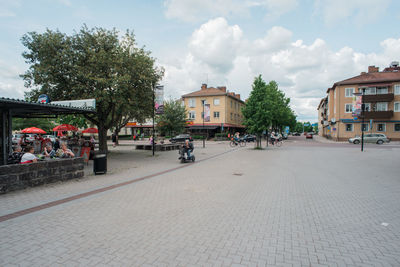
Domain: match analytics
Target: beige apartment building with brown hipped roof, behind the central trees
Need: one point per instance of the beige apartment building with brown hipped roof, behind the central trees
(225, 110)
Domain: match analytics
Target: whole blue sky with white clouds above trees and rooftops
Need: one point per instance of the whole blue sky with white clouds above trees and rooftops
(304, 45)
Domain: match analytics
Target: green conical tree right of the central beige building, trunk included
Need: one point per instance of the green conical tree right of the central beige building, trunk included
(267, 107)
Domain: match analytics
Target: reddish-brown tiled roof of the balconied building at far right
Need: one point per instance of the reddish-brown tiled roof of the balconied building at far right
(371, 78)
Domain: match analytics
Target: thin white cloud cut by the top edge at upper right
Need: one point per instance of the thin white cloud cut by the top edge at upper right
(360, 12)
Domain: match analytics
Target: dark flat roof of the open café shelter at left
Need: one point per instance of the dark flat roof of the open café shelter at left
(25, 109)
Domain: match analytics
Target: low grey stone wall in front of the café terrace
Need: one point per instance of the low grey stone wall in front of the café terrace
(19, 176)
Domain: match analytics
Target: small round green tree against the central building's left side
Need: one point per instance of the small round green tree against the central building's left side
(173, 120)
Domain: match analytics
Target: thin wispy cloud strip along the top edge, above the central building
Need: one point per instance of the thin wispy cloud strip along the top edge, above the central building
(199, 10)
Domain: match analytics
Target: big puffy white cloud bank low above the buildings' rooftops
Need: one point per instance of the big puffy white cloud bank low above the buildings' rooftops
(303, 71)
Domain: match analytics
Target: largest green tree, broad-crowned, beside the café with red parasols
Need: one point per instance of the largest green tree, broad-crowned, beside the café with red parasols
(93, 63)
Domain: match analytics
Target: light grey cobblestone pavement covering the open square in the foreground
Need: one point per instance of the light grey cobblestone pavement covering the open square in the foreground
(289, 206)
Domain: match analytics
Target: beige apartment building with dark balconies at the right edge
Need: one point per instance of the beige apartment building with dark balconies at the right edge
(382, 105)
